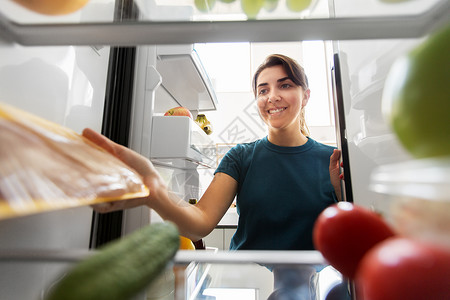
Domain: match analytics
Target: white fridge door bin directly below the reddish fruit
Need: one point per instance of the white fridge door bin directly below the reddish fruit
(178, 142)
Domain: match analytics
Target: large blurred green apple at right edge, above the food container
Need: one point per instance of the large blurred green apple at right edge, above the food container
(416, 97)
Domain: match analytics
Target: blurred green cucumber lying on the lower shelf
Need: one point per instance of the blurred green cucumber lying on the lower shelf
(122, 268)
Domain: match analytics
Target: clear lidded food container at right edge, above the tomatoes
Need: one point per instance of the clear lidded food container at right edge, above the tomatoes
(419, 192)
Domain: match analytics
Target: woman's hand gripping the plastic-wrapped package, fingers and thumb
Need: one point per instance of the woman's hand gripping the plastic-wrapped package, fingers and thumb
(139, 163)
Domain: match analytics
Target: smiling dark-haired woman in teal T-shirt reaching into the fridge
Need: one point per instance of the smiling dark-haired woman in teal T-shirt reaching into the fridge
(286, 166)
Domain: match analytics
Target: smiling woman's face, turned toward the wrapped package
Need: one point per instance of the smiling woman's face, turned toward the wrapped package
(279, 99)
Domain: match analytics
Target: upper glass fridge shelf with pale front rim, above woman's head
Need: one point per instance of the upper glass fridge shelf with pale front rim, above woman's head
(179, 22)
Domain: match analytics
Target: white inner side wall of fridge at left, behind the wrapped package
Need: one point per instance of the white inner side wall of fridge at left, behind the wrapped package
(65, 85)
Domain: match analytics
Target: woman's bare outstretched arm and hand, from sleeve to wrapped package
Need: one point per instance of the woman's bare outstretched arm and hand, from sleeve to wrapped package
(193, 221)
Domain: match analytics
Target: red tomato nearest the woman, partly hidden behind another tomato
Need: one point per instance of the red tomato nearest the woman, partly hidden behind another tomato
(344, 232)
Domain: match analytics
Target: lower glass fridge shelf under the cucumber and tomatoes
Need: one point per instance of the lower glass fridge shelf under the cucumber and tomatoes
(197, 274)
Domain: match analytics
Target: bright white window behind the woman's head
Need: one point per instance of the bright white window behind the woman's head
(230, 67)
